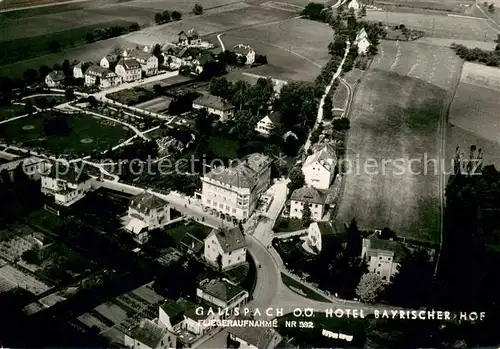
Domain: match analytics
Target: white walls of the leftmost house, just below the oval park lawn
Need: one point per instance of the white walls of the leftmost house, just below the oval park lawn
(65, 192)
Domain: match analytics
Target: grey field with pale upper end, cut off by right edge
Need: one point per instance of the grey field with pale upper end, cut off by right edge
(474, 113)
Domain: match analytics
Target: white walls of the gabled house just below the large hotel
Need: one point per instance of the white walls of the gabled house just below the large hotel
(231, 257)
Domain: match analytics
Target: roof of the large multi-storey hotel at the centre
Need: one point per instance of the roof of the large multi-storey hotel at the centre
(245, 174)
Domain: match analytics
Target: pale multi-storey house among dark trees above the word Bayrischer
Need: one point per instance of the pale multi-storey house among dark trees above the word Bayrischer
(383, 256)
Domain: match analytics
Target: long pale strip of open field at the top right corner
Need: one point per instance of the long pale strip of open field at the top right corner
(439, 26)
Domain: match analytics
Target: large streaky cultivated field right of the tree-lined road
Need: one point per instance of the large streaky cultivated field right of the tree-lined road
(394, 125)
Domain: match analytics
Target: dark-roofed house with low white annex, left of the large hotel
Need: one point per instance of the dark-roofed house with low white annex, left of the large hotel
(146, 212)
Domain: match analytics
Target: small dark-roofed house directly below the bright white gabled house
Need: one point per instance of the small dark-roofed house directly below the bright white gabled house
(310, 196)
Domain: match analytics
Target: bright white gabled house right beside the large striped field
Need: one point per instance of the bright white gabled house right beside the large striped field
(319, 167)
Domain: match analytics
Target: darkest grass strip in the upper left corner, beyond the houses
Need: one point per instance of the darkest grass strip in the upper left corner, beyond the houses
(25, 48)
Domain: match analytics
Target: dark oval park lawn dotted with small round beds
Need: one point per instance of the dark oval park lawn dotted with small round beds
(86, 134)
